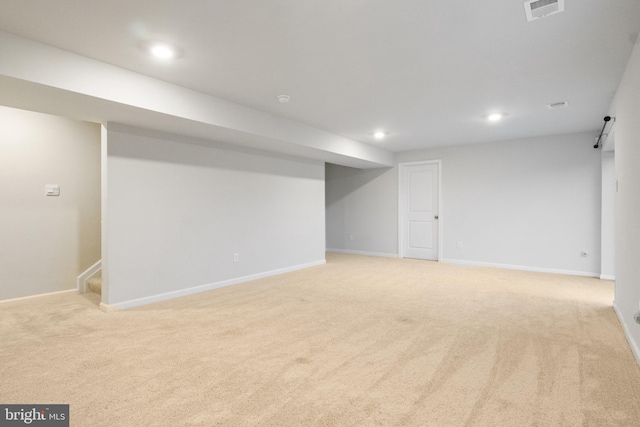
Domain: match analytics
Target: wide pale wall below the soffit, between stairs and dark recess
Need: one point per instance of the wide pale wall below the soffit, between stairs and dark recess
(177, 212)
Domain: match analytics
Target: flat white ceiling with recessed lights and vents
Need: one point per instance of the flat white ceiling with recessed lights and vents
(424, 71)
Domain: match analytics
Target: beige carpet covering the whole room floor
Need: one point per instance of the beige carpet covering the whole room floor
(359, 341)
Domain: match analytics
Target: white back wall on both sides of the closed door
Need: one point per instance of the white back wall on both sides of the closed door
(532, 203)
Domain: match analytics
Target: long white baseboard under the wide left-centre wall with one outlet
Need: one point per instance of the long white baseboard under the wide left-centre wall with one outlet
(203, 288)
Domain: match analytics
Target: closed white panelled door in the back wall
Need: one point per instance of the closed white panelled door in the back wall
(418, 210)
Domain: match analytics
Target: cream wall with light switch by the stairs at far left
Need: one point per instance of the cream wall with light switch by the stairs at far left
(46, 242)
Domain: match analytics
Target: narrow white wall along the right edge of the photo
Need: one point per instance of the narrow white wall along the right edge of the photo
(626, 110)
